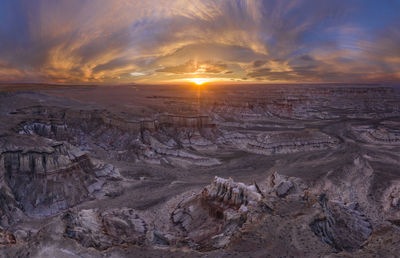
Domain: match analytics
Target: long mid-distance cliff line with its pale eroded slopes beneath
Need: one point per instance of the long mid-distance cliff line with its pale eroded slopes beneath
(175, 139)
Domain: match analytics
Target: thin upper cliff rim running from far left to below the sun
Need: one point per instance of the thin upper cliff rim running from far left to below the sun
(54, 122)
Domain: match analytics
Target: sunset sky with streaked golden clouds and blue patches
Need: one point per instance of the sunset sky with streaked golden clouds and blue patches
(172, 41)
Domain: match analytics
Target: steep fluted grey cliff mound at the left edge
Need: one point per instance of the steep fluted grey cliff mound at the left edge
(44, 183)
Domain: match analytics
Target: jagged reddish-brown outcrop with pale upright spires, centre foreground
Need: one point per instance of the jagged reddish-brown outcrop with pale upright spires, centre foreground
(209, 219)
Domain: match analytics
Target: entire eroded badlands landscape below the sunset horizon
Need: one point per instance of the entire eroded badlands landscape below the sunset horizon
(200, 171)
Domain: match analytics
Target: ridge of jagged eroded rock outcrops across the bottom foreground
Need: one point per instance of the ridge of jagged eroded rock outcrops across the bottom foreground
(222, 213)
